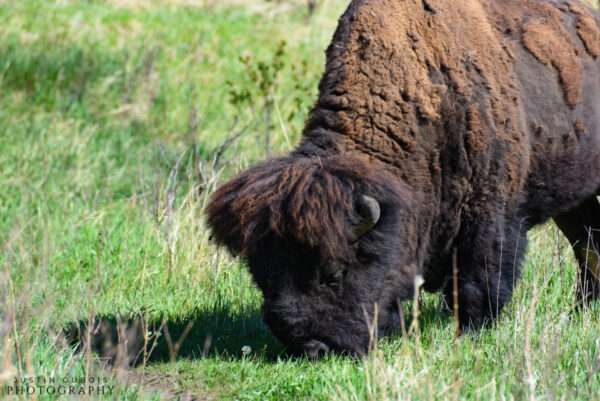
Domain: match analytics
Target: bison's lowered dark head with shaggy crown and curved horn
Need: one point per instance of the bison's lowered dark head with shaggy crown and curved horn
(329, 243)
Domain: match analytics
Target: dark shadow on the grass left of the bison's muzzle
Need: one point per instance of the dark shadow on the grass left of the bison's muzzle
(133, 340)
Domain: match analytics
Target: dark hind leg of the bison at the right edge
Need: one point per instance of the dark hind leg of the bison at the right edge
(581, 226)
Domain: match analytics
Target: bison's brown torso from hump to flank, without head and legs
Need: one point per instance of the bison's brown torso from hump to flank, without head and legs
(468, 104)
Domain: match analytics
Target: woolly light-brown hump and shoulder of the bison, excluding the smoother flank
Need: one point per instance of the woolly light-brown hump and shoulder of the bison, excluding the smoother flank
(431, 95)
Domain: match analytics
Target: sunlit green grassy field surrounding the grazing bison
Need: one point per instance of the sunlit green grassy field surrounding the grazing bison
(117, 120)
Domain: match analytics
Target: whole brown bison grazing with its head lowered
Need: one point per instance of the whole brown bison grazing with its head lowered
(444, 130)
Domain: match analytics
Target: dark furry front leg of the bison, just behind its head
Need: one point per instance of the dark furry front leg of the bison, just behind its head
(485, 271)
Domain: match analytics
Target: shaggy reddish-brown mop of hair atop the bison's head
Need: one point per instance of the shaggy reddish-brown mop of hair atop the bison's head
(307, 200)
